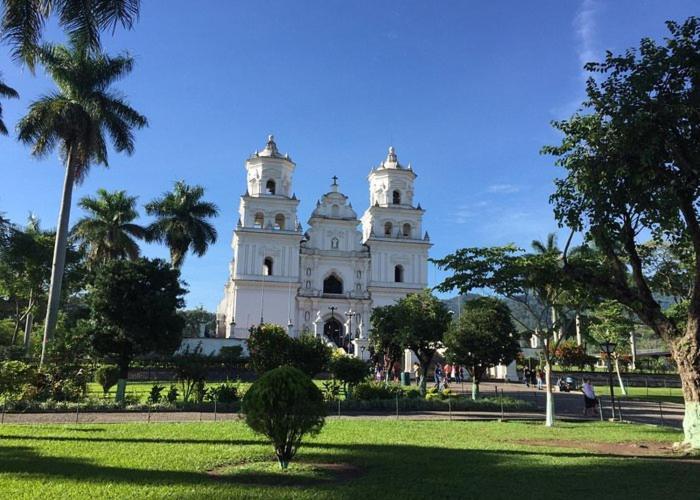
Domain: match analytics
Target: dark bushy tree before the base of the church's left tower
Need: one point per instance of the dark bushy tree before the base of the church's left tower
(268, 347)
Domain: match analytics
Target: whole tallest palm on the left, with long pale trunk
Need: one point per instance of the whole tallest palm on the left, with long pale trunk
(76, 118)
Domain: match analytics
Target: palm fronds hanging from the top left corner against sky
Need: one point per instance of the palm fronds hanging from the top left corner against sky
(22, 22)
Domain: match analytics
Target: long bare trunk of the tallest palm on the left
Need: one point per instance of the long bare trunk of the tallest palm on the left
(59, 257)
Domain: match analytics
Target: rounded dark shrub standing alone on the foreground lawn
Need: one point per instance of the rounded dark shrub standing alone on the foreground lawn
(284, 405)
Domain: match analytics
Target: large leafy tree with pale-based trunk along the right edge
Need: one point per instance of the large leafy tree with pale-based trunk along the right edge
(631, 161)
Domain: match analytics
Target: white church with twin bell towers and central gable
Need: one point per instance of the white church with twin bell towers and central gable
(326, 279)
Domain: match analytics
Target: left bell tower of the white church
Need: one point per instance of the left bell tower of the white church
(264, 271)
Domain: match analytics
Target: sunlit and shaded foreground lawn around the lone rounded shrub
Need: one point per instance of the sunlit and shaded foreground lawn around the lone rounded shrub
(396, 459)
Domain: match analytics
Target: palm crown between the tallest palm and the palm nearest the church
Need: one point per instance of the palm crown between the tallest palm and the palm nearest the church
(108, 232)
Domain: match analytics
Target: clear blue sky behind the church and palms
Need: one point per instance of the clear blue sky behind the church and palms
(465, 91)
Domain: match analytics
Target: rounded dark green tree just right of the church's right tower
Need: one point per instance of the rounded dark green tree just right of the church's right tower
(484, 336)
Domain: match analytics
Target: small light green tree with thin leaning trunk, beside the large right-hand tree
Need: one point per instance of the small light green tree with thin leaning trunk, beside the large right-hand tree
(612, 323)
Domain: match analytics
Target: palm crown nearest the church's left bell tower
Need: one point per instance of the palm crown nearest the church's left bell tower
(181, 222)
